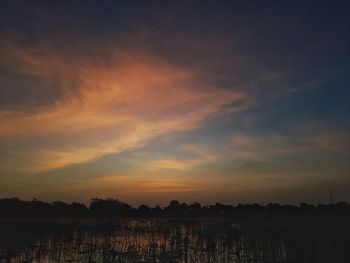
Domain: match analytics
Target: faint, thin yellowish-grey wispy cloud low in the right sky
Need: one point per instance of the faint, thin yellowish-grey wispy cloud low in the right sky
(258, 148)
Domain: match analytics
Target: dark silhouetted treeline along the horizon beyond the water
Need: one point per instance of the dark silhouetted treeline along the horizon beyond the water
(106, 208)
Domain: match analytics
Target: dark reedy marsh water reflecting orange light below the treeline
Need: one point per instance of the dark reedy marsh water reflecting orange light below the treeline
(169, 240)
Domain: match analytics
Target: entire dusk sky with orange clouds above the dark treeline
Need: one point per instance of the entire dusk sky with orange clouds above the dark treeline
(150, 101)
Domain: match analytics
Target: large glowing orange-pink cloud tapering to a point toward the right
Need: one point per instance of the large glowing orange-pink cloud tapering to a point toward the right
(110, 107)
